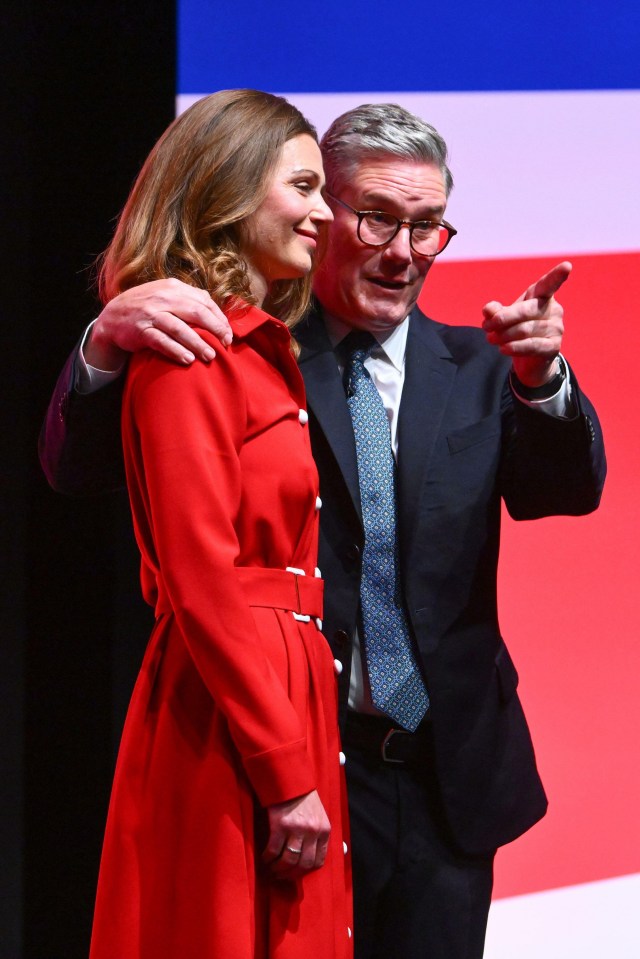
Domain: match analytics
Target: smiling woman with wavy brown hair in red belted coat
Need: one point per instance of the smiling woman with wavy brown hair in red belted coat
(229, 777)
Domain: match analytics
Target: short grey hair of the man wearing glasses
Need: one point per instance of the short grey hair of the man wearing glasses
(378, 130)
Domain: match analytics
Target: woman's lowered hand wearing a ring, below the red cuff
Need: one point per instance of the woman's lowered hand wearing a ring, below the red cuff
(298, 836)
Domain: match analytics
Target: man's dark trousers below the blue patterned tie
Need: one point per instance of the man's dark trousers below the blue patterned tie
(415, 895)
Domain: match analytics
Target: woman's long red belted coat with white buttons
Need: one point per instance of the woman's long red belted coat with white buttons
(235, 705)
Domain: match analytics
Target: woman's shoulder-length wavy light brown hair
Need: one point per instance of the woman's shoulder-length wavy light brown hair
(208, 172)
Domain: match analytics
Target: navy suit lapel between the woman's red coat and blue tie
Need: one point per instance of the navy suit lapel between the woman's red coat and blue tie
(326, 399)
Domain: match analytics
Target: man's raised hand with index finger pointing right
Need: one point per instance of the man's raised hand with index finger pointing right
(530, 330)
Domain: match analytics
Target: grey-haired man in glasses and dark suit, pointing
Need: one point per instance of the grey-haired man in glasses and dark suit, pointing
(473, 418)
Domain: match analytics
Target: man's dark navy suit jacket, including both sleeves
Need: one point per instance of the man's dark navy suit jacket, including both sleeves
(465, 443)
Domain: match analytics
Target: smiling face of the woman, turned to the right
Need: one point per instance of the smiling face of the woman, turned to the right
(281, 238)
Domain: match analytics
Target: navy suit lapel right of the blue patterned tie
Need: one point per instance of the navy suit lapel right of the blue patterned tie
(429, 374)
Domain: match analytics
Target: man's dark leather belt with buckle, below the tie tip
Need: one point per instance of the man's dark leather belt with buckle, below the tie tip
(379, 740)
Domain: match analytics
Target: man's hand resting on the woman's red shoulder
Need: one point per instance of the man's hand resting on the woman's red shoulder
(157, 316)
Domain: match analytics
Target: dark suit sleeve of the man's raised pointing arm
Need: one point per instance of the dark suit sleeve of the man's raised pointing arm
(553, 466)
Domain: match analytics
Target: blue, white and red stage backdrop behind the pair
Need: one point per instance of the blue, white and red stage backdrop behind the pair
(540, 106)
